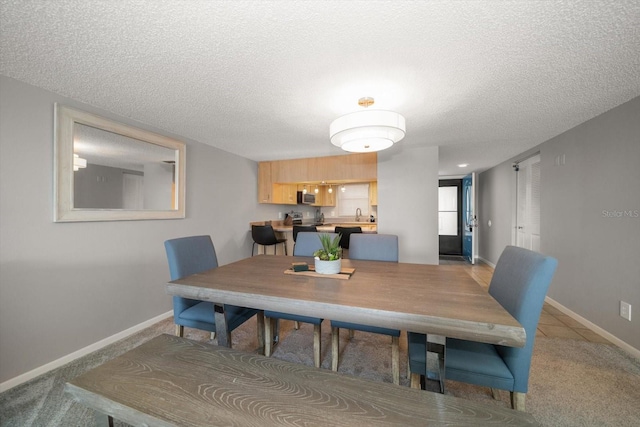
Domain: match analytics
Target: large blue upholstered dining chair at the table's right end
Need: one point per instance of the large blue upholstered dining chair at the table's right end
(520, 282)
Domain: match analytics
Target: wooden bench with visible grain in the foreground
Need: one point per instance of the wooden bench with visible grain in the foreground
(173, 381)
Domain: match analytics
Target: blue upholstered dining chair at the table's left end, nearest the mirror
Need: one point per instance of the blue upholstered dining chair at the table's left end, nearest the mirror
(195, 254)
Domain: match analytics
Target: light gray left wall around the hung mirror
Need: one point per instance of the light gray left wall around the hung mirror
(64, 286)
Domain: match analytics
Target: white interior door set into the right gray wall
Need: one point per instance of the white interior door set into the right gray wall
(527, 225)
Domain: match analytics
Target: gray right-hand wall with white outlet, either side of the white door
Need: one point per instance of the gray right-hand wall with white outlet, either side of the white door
(590, 217)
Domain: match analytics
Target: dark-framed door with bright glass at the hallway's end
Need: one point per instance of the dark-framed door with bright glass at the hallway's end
(450, 217)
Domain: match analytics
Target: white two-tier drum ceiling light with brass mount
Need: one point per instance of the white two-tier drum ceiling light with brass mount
(367, 130)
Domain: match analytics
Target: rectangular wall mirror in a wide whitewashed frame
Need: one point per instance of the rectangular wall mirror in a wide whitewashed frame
(108, 171)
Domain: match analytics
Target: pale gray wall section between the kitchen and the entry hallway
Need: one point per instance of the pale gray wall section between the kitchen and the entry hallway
(408, 200)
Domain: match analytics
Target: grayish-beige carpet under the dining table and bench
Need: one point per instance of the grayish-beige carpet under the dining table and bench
(572, 383)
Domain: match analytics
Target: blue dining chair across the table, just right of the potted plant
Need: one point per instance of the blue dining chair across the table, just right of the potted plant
(373, 247)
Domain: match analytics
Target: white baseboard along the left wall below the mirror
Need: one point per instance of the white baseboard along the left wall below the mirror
(82, 352)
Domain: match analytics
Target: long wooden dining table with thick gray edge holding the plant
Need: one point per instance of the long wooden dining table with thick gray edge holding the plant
(430, 299)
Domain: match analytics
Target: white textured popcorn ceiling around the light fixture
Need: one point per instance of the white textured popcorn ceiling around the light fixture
(483, 80)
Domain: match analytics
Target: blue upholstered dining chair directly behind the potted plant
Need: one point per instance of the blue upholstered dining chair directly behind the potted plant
(306, 244)
